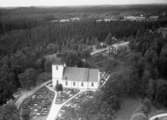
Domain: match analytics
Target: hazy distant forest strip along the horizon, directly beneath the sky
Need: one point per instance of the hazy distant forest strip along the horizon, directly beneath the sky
(88, 10)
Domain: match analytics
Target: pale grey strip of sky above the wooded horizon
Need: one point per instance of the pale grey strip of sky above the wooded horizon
(13, 3)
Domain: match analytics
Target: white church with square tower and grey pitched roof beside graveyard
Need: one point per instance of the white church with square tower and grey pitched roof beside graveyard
(75, 77)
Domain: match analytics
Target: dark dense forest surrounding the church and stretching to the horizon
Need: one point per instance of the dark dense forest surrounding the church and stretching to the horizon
(26, 40)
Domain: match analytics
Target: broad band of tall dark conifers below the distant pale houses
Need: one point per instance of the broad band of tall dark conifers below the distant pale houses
(67, 34)
